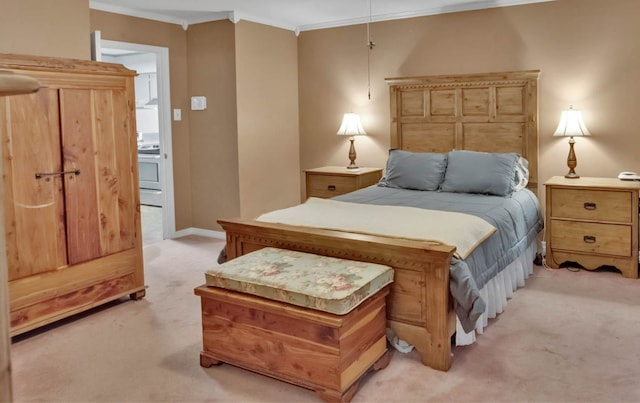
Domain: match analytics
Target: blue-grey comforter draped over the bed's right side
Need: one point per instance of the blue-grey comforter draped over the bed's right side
(517, 219)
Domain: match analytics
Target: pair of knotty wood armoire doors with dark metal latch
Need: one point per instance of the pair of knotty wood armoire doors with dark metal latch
(68, 178)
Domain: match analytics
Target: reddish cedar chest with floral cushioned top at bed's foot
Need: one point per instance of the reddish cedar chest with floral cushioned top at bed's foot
(275, 313)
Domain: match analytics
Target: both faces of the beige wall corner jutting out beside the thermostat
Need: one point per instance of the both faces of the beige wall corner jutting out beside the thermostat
(244, 146)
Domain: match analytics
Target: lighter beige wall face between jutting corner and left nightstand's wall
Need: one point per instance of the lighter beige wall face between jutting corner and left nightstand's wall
(268, 135)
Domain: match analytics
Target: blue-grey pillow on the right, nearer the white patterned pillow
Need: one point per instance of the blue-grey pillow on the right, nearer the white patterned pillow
(478, 172)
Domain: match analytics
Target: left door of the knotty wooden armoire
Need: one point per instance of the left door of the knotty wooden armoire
(33, 208)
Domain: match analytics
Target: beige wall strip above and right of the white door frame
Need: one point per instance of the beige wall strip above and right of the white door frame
(116, 27)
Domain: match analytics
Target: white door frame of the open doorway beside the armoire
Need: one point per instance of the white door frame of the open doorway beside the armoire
(164, 124)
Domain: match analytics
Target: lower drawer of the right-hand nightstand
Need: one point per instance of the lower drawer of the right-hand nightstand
(606, 239)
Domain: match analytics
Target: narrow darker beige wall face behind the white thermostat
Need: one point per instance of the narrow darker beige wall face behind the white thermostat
(214, 135)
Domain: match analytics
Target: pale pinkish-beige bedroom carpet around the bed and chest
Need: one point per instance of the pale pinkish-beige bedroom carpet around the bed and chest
(564, 337)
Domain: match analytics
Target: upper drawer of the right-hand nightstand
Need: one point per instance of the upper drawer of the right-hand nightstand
(594, 205)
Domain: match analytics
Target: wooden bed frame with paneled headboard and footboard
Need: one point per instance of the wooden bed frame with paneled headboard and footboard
(493, 112)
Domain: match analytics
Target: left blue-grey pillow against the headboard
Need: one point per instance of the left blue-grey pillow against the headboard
(417, 171)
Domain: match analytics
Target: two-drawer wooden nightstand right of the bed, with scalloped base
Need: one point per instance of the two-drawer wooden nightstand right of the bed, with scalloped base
(592, 222)
